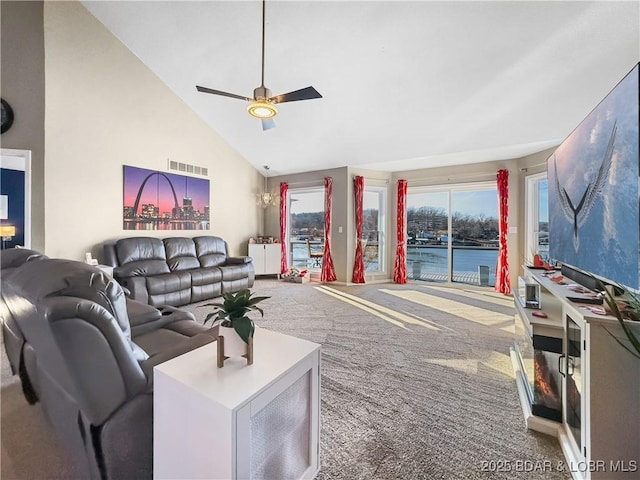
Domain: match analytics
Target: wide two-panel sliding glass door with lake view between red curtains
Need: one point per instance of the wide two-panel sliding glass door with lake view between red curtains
(453, 233)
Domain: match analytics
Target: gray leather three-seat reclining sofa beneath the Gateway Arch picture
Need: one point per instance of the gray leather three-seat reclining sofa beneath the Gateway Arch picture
(178, 270)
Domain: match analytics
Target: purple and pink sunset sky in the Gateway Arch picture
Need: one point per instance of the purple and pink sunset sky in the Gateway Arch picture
(158, 191)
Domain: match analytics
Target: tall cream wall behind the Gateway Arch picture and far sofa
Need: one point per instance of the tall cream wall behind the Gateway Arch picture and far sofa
(105, 109)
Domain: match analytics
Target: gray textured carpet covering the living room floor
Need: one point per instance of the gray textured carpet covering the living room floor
(416, 384)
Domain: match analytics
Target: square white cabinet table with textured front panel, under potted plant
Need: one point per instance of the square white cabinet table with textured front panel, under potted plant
(240, 421)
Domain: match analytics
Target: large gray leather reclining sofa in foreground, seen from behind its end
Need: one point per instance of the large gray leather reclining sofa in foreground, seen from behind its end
(87, 353)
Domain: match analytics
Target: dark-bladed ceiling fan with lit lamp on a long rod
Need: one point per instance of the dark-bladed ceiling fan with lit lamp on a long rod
(263, 103)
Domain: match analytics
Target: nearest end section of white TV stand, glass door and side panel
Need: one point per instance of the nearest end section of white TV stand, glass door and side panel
(602, 399)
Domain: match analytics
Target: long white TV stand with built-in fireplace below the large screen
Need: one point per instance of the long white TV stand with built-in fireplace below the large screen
(599, 429)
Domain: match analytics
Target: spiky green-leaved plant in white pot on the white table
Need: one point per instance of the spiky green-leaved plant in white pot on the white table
(231, 314)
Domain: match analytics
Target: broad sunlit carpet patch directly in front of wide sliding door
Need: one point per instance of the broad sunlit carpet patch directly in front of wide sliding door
(468, 312)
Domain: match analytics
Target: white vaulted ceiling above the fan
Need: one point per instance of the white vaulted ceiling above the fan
(405, 85)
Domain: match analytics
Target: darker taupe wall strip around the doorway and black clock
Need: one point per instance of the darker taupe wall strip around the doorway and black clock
(22, 86)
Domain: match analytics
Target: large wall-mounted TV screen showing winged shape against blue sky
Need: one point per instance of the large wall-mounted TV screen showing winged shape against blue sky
(594, 198)
